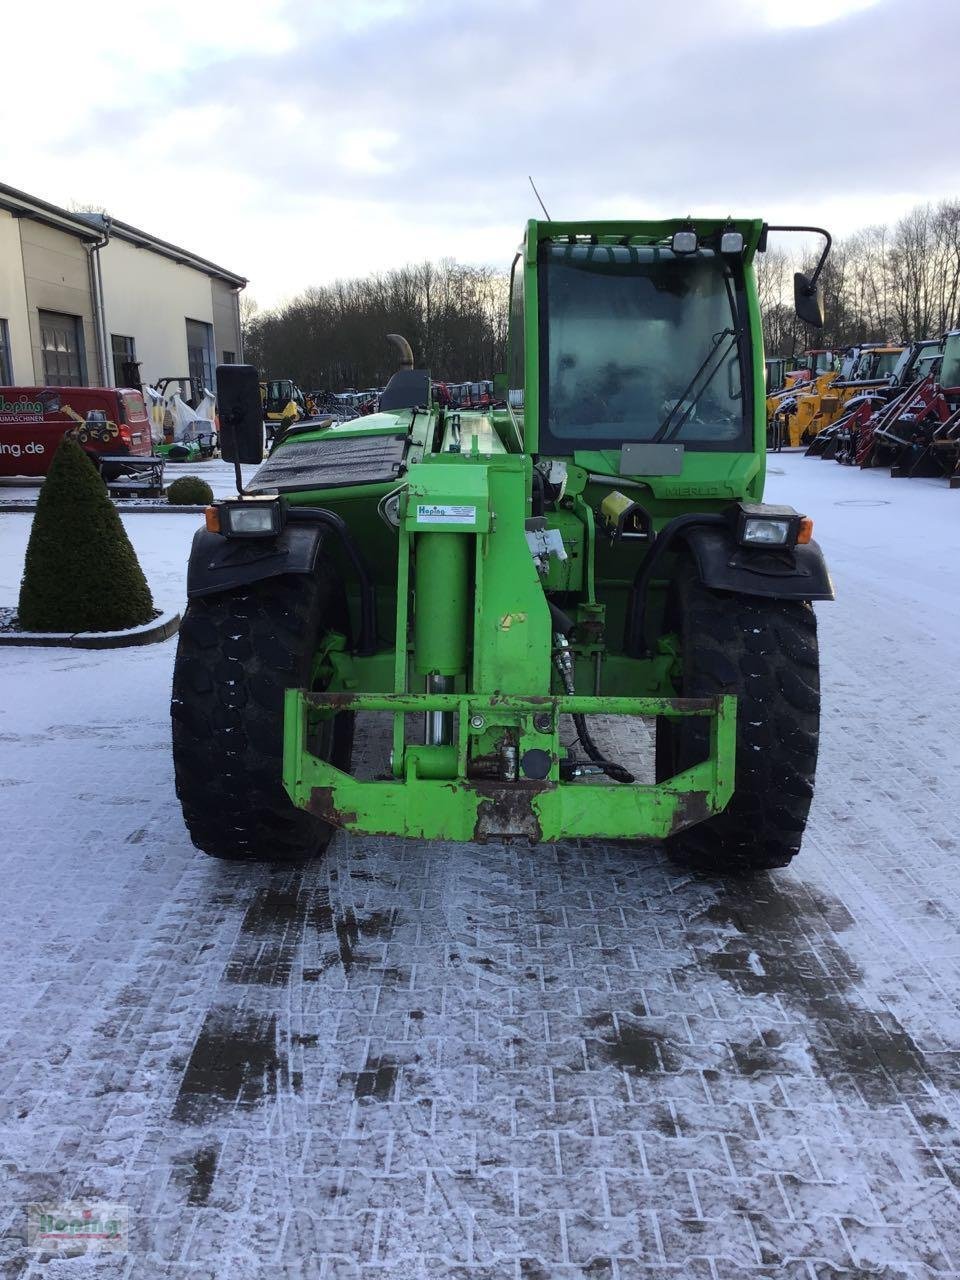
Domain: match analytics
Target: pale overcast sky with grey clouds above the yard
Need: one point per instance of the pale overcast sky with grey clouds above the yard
(296, 141)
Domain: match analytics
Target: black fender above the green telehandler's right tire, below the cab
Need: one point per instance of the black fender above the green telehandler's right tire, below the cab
(792, 574)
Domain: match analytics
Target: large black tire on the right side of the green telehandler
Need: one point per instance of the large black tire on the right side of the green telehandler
(765, 652)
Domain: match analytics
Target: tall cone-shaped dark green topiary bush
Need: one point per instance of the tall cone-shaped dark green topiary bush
(81, 573)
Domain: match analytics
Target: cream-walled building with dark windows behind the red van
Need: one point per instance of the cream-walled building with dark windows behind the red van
(90, 301)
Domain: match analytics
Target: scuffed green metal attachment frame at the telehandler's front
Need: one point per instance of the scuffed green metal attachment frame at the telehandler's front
(435, 799)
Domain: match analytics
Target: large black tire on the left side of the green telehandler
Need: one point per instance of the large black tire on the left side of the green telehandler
(237, 656)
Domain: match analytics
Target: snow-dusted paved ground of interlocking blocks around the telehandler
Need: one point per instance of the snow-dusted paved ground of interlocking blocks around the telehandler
(491, 1063)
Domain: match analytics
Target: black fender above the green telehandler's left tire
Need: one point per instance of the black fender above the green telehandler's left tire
(220, 564)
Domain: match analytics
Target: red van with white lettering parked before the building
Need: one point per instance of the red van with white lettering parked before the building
(104, 420)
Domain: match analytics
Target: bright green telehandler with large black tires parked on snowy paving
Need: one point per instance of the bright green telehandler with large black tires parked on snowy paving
(509, 591)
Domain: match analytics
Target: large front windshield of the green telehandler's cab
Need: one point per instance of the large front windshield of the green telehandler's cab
(638, 344)
